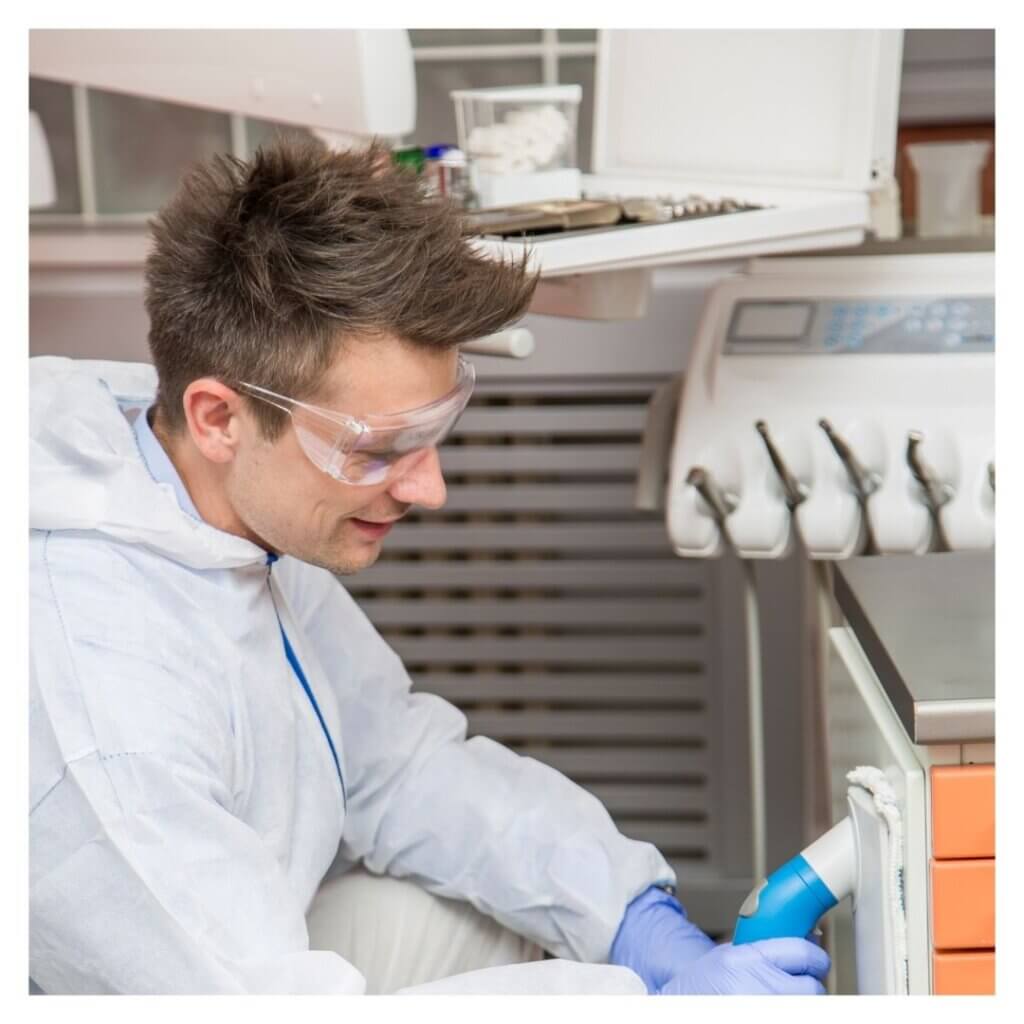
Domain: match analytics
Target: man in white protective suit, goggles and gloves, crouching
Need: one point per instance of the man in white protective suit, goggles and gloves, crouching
(215, 722)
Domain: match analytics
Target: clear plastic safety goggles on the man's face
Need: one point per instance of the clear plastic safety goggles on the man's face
(377, 448)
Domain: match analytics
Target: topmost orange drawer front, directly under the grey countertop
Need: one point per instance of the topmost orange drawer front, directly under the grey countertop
(964, 812)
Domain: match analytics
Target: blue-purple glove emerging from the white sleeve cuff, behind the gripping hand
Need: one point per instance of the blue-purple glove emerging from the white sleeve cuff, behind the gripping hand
(657, 940)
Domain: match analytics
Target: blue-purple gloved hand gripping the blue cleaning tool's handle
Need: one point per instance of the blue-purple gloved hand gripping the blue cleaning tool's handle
(770, 967)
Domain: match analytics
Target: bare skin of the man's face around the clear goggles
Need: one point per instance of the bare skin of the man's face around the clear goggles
(296, 509)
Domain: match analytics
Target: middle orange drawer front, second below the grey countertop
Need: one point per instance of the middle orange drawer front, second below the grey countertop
(964, 905)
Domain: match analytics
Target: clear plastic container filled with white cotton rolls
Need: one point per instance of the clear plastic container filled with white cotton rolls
(519, 131)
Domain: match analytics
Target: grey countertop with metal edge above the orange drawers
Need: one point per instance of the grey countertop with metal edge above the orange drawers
(927, 625)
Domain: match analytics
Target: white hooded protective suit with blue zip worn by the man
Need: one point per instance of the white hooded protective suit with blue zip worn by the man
(186, 803)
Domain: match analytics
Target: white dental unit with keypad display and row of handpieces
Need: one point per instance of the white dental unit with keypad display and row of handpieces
(805, 382)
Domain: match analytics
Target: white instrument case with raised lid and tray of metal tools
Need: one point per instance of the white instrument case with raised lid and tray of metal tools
(807, 141)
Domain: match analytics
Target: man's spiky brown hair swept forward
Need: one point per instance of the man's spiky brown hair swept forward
(261, 270)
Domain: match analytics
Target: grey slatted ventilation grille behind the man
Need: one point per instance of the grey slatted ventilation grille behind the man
(556, 615)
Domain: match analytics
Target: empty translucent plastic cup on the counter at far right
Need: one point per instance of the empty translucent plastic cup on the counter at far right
(949, 187)
